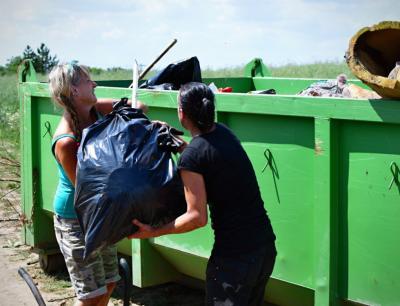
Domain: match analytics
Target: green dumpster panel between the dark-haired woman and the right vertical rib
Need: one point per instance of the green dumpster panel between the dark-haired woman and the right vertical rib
(281, 150)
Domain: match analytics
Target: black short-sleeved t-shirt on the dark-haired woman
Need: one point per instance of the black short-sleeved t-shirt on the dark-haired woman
(238, 217)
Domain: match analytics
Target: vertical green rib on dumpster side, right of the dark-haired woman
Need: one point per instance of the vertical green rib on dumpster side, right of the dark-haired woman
(325, 211)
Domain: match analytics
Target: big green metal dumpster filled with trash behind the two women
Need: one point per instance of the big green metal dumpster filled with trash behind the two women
(328, 170)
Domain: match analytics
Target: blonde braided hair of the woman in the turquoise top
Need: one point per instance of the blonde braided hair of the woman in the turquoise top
(61, 79)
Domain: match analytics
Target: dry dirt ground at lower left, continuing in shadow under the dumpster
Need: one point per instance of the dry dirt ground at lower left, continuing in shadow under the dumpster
(56, 289)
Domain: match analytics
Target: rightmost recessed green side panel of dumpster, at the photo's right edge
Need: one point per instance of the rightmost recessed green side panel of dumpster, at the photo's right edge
(370, 211)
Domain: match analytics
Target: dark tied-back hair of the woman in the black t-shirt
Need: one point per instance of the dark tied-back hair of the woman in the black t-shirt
(197, 102)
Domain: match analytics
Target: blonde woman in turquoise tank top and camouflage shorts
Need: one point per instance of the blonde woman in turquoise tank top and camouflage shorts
(72, 88)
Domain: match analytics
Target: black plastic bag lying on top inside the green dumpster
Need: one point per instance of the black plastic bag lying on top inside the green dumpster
(175, 75)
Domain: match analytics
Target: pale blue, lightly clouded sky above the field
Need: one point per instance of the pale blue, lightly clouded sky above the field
(221, 33)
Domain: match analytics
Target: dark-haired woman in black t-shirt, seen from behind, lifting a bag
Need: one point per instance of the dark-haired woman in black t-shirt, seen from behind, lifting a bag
(216, 170)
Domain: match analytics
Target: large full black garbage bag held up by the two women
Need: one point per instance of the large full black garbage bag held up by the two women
(125, 171)
